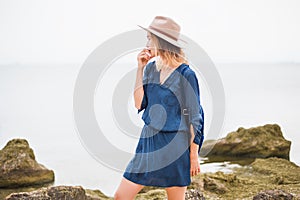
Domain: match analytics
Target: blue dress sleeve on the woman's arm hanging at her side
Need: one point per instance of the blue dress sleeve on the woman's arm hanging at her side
(192, 102)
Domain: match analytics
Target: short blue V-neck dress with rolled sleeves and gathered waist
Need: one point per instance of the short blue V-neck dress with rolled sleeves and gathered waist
(162, 156)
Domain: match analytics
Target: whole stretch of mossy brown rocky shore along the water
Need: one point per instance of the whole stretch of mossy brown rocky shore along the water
(268, 175)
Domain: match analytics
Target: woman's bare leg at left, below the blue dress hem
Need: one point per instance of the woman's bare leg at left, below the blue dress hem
(127, 190)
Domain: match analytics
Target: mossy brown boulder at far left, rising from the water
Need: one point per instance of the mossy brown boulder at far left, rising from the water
(18, 166)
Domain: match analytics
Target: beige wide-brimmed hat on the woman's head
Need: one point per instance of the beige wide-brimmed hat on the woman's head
(167, 29)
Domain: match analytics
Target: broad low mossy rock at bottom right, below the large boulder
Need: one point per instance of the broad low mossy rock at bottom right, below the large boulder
(245, 182)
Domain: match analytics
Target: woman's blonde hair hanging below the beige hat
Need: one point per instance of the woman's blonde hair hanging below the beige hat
(168, 53)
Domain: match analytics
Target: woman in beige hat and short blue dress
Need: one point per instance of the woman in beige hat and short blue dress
(168, 92)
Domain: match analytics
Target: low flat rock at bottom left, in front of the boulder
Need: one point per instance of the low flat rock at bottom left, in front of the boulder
(58, 193)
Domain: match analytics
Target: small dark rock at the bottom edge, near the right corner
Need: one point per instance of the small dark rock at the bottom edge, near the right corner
(273, 195)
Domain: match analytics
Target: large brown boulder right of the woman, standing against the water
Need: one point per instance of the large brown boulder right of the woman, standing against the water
(259, 142)
